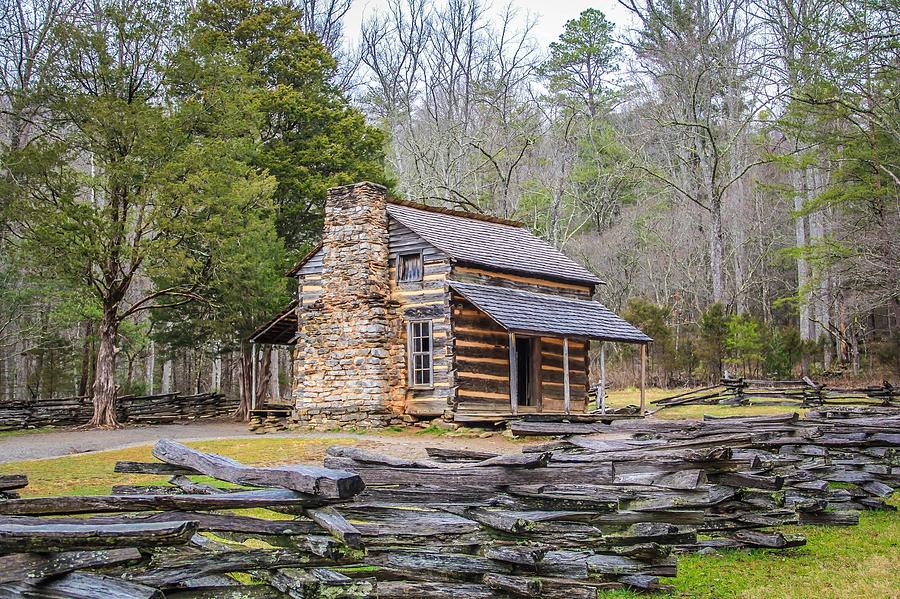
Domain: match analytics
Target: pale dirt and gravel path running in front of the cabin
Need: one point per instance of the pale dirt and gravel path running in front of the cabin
(58, 443)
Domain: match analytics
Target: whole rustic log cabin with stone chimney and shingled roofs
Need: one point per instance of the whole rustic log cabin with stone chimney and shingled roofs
(407, 311)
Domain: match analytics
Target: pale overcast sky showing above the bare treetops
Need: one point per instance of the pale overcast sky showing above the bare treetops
(551, 14)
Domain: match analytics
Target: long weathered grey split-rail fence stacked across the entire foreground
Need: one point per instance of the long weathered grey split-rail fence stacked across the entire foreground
(560, 520)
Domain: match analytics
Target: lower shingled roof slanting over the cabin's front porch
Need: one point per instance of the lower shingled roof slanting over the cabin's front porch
(527, 312)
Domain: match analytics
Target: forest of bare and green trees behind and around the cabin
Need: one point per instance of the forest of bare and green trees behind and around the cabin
(730, 169)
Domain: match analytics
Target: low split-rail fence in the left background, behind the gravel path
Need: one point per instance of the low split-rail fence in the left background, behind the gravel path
(75, 411)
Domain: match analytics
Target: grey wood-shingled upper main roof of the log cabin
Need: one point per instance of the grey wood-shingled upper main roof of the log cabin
(490, 243)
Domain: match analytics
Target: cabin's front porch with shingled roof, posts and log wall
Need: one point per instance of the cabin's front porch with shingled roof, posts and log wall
(525, 354)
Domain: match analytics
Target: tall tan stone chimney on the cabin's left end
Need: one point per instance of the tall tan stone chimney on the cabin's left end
(346, 366)
